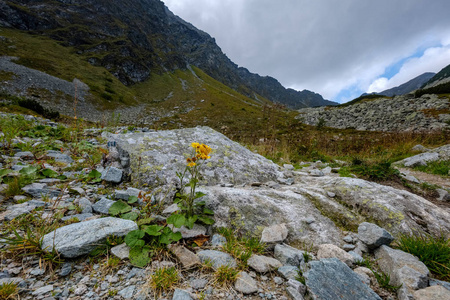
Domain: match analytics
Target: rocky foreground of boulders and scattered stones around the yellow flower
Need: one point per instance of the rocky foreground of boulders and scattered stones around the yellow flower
(322, 216)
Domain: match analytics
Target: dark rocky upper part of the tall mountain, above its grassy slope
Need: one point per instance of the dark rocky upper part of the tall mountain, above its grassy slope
(134, 39)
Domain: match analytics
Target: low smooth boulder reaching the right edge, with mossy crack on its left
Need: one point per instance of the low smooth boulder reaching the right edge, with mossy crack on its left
(357, 201)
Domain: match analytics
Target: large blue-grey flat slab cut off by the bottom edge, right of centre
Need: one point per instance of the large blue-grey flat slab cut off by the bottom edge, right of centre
(340, 282)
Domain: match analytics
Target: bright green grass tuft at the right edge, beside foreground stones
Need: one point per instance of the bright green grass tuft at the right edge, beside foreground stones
(433, 251)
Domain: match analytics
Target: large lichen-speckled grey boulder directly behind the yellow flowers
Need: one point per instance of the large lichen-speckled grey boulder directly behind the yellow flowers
(155, 157)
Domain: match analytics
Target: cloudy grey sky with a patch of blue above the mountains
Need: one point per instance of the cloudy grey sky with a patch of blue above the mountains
(338, 48)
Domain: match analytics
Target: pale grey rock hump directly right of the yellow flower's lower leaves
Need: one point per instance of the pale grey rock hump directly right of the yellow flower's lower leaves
(257, 208)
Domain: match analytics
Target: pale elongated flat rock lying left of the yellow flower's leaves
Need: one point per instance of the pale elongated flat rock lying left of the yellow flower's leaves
(81, 238)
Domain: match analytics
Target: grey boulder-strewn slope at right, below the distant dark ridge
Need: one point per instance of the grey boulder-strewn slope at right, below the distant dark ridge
(401, 113)
